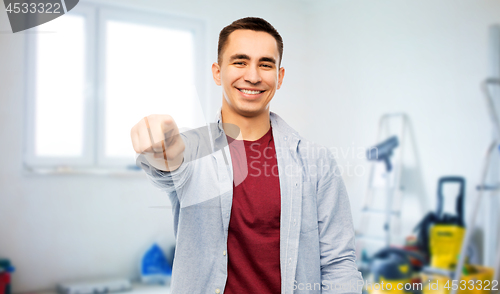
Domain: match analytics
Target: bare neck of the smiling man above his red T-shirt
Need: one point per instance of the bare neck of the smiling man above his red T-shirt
(251, 128)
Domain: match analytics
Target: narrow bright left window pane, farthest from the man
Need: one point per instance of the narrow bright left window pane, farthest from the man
(59, 87)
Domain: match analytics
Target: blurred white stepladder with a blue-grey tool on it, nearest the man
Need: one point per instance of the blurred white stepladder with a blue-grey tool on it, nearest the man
(381, 210)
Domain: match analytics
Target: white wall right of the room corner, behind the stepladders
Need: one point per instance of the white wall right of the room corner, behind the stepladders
(426, 58)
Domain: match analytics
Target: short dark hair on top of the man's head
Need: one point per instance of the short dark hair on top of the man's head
(248, 23)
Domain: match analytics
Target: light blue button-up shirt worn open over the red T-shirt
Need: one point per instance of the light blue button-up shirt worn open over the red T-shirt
(317, 251)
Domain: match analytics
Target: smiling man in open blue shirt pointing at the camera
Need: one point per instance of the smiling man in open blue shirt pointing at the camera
(257, 208)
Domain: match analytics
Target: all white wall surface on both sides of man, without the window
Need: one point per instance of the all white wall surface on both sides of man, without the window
(347, 62)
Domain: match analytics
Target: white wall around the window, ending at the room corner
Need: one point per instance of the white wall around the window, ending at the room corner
(62, 227)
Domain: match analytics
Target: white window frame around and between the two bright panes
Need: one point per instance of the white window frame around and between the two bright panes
(93, 160)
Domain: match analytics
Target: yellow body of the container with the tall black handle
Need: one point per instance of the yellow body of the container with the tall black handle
(445, 245)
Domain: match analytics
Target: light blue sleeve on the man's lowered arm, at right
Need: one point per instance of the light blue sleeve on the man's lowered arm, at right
(336, 234)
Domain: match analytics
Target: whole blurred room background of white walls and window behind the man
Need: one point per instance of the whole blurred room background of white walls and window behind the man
(72, 205)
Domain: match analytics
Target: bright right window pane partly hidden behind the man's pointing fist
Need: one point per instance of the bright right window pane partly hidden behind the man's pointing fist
(149, 70)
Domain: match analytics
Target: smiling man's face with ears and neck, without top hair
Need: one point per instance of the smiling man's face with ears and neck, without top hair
(249, 74)
